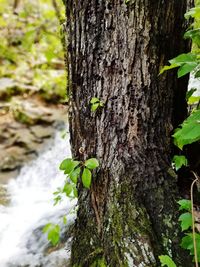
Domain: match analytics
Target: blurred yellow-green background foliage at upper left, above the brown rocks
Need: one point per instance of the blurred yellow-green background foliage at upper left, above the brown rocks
(31, 53)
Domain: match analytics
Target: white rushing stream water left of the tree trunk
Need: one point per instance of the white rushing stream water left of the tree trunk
(22, 242)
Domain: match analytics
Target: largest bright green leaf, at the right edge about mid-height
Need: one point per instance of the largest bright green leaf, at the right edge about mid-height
(189, 131)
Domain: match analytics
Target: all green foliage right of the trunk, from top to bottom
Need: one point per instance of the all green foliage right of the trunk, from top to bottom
(187, 133)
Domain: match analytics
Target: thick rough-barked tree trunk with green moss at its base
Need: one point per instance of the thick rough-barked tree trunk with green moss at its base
(115, 51)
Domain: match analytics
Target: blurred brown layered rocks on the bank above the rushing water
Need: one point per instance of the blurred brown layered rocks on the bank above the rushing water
(23, 136)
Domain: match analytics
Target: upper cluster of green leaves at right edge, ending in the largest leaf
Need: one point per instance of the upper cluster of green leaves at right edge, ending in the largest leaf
(189, 131)
